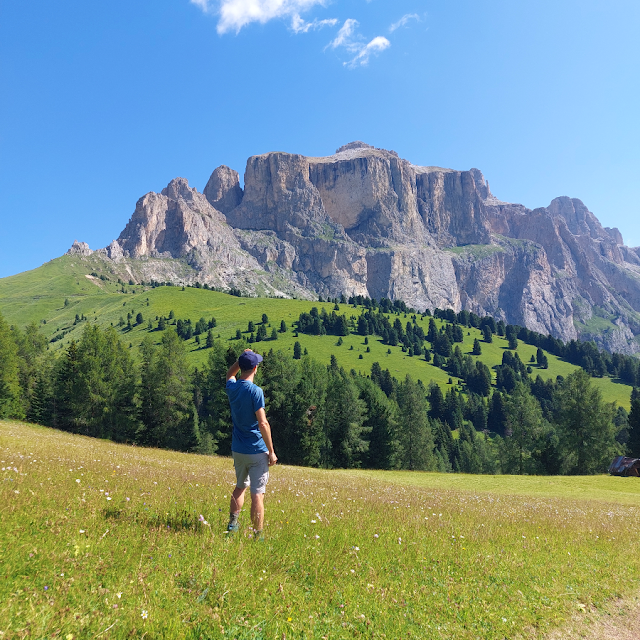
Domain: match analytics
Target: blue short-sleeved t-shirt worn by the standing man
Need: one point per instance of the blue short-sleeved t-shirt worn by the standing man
(245, 399)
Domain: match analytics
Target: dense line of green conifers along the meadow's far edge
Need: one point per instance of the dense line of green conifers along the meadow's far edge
(322, 415)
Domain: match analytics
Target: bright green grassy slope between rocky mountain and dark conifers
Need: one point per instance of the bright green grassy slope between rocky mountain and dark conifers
(39, 295)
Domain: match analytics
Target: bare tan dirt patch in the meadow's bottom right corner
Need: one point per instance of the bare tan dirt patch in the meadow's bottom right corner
(618, 621)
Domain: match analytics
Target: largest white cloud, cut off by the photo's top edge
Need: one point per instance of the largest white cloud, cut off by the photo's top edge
(235, 14)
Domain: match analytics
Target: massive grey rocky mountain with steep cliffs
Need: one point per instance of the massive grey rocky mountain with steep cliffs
(366, 222)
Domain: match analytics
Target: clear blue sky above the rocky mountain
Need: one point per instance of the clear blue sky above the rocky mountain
(102, 102)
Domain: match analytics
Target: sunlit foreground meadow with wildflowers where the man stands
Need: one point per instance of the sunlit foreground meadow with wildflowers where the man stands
(105, 540)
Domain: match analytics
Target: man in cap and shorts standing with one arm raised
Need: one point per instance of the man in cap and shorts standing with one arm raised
(251, 444)
